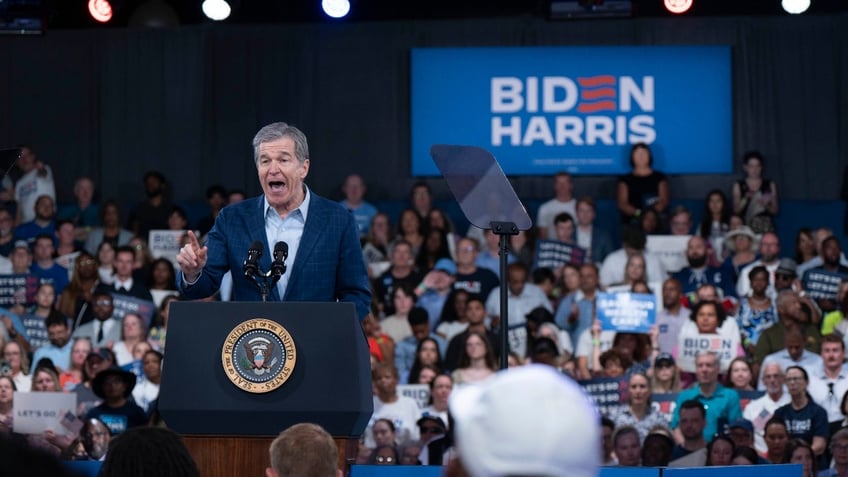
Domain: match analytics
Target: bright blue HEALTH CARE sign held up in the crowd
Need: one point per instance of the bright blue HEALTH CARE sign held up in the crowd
(627, 312)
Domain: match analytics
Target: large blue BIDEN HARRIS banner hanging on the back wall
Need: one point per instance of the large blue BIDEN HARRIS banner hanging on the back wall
(542, 110)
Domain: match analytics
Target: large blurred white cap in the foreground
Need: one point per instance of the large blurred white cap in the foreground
(530, 420)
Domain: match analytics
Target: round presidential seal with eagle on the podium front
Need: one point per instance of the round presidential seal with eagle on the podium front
(258, 355)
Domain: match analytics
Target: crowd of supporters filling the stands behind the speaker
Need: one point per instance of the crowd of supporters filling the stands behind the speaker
(435, 316)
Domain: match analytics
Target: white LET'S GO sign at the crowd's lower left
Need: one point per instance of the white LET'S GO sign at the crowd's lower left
(36, 412)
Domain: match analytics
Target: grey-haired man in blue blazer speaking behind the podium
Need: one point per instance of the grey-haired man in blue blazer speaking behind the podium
(324, 260)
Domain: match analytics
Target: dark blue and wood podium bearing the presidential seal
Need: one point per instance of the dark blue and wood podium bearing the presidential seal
(228, 429)
